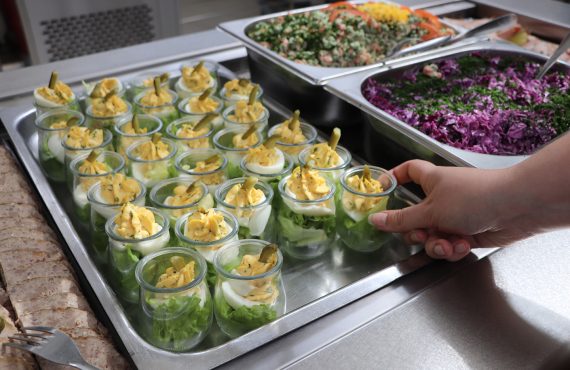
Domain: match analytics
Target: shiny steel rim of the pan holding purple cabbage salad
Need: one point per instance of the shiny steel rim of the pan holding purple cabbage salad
(348, 89)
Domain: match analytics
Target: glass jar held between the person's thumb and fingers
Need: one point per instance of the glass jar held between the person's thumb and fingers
(352, 223)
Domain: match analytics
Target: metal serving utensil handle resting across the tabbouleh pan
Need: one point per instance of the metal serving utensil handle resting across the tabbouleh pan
(494, 25)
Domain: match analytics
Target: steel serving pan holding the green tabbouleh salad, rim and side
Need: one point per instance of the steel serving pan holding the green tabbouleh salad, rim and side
(298, 84)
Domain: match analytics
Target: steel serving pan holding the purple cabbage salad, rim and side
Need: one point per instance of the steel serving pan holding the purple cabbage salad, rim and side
(388, 131)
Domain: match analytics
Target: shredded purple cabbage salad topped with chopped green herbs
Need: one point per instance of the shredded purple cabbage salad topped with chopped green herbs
(483, 104)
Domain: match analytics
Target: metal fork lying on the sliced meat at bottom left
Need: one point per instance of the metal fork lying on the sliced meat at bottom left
(51, 344)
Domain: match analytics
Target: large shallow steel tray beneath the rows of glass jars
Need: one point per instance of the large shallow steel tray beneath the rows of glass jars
(335, 280)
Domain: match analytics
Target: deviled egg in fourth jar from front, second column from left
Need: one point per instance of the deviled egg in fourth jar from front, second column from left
(152, 160)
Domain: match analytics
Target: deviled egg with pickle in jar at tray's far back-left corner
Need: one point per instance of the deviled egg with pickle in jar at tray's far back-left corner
(55, 95)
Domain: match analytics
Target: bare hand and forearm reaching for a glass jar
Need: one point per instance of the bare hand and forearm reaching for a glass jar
(466, 207)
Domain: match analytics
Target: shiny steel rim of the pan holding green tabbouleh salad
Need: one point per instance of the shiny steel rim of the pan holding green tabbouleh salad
(314, 75)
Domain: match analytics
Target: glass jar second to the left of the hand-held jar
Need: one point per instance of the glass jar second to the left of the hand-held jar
(255, 222)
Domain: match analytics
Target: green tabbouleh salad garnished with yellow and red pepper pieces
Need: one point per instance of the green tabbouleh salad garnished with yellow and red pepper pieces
(346, 35)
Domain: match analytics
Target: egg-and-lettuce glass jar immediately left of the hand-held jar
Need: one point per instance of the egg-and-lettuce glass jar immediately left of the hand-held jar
(306, 217)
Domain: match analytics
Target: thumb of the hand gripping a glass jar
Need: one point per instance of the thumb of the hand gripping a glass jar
(401, 220)
